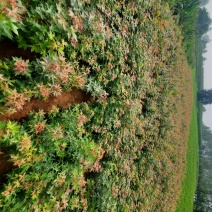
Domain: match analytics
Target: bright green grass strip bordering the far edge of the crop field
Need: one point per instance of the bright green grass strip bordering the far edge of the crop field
(186, 201)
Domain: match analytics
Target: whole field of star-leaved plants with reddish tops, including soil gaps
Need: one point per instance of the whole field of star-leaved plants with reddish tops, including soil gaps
(95, 106)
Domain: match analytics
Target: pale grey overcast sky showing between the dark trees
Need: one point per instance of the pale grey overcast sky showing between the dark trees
(207, 116)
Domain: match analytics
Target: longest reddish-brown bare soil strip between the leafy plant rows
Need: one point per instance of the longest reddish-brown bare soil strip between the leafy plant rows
(63, 101)
